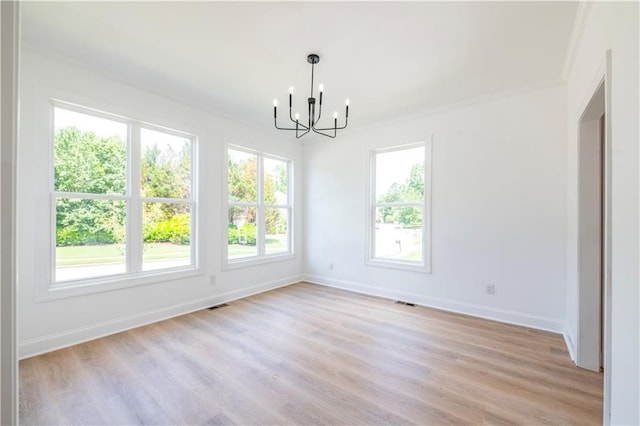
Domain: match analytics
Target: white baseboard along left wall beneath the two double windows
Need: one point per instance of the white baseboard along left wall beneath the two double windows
(51, 342)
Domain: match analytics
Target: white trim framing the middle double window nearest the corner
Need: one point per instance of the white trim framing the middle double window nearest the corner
(261, 258)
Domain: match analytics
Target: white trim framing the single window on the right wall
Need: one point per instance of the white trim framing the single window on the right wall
(425, 265)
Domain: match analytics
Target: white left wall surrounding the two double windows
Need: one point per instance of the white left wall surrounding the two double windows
(47, 325)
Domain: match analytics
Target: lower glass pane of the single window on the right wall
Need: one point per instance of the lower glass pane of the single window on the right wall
(398, 233)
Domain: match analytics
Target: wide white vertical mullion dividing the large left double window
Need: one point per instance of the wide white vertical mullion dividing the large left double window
(134, 206)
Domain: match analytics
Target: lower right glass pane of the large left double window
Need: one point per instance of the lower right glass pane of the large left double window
(166, 233)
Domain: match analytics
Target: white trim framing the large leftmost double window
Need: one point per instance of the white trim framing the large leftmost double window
(134, 275)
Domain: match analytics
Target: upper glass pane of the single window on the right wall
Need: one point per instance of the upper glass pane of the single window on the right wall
(400, 176)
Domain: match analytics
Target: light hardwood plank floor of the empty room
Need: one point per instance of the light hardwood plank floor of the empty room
(307, 354)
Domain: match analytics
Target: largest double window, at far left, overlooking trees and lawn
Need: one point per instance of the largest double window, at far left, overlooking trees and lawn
(122, 197)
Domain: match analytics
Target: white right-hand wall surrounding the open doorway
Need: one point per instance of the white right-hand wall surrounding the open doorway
(611, 25)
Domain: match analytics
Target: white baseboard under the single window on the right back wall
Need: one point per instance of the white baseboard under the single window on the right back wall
(511, 317)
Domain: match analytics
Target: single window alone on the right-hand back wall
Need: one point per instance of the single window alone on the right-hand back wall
(399, 207)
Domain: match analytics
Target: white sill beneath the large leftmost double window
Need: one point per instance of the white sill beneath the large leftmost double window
(116, 282)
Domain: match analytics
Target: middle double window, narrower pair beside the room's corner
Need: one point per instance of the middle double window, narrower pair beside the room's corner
(259, 206)
